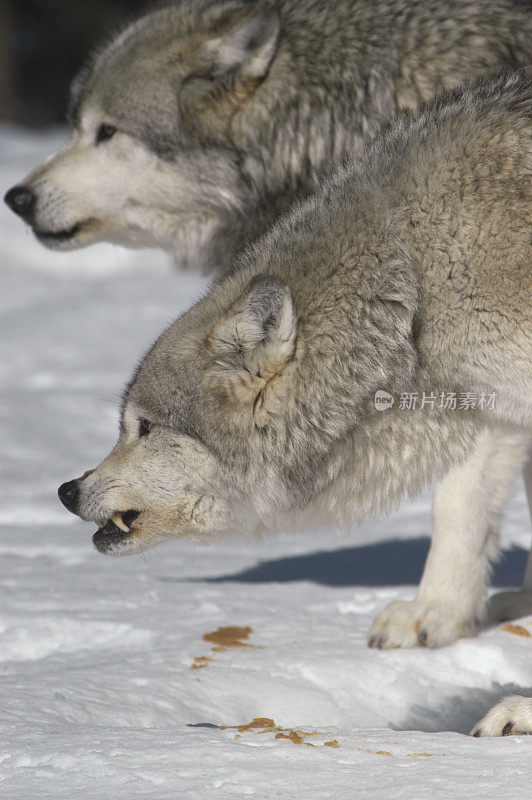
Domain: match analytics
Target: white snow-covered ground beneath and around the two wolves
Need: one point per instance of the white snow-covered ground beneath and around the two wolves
(97, 696)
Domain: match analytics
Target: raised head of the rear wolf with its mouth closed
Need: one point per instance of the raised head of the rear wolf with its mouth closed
(151, 159)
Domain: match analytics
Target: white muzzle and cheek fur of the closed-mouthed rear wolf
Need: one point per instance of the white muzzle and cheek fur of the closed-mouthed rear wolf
(118, 190)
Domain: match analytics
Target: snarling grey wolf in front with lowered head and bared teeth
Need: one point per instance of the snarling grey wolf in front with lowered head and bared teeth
(407, 273)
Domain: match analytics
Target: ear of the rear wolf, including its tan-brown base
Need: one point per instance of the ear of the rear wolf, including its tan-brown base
(233, 56)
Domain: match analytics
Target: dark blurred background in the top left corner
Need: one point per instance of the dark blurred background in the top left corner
(43, 43)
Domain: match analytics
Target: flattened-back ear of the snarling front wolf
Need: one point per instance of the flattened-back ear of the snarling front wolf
(257, 336)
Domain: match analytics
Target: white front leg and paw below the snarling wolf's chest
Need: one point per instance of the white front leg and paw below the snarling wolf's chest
(467, 506)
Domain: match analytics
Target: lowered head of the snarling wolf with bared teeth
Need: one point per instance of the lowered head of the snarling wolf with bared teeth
(190, 457)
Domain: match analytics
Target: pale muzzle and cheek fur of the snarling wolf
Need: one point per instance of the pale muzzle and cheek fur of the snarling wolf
(171, 479)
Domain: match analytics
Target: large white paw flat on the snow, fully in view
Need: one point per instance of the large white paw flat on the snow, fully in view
(418, 624)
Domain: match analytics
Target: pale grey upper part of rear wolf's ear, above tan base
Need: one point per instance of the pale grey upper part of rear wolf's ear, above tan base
(243, 37)
